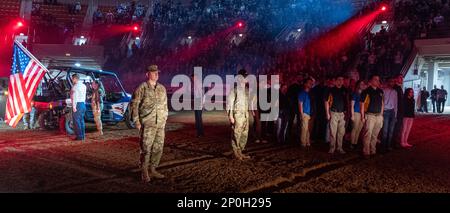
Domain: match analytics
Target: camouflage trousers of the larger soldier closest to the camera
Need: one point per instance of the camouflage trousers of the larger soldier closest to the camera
(151, 143)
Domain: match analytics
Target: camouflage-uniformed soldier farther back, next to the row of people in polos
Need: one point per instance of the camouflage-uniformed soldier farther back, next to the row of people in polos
(238, 114)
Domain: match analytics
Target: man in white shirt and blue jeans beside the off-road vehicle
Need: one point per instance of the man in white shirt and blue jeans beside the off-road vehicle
(78, 98)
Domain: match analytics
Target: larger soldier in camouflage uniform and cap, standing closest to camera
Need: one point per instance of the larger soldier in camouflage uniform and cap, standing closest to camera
(149, 112)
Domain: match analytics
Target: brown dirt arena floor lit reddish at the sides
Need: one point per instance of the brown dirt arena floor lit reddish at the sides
(47, 161)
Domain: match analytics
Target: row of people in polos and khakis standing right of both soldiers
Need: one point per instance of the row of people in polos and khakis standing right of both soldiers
(339, 108)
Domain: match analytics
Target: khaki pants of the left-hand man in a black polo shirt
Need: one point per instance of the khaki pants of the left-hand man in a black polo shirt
(337, 130)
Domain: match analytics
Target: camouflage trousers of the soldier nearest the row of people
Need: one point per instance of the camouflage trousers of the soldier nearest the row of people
(240, 131)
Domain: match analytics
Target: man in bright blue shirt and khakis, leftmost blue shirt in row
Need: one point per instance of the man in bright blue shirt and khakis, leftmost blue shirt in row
(304, 105)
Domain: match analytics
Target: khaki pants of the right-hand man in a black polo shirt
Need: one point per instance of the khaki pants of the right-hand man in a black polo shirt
(374, 123)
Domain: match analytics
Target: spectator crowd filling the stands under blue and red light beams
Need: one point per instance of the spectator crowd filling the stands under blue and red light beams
(179, 37)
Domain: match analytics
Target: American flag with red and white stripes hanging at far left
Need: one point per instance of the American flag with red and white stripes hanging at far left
(26, 74)
